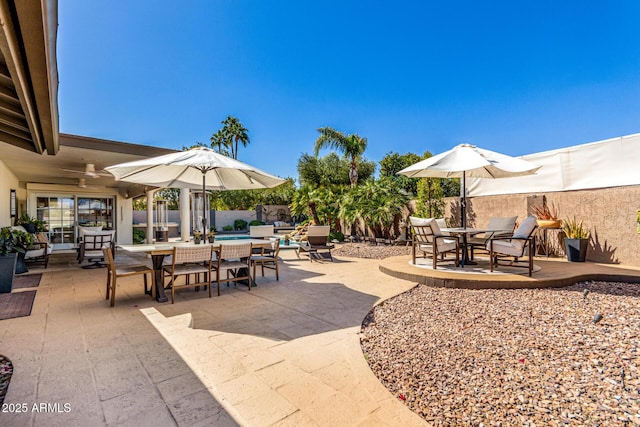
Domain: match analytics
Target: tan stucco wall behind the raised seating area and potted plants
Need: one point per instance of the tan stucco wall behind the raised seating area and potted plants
(609, 213)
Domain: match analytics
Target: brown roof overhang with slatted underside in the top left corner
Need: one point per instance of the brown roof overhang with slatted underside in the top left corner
(29, 75)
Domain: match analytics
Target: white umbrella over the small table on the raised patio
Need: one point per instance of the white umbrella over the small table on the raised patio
(467, 160)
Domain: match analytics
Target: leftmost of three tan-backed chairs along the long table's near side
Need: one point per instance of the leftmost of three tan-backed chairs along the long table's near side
(189, 261)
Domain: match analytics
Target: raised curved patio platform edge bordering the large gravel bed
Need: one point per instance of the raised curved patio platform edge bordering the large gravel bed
(553, 274)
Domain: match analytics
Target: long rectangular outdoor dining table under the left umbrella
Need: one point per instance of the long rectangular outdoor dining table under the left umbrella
(159, 250)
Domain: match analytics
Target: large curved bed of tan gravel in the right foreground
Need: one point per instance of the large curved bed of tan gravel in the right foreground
(526, 357)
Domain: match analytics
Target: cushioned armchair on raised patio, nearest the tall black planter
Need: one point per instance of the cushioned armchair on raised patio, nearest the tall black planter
(514, 247)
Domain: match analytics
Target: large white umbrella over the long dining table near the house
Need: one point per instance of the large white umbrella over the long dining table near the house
(192, 168)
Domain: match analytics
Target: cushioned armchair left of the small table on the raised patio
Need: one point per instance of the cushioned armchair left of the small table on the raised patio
(428, 239)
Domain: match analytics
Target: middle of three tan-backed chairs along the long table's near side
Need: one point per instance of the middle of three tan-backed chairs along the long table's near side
(235, 260)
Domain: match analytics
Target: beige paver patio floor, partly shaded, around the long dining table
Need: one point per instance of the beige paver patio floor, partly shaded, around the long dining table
(286, 353)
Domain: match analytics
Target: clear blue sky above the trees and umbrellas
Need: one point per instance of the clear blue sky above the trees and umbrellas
(514, 77)
